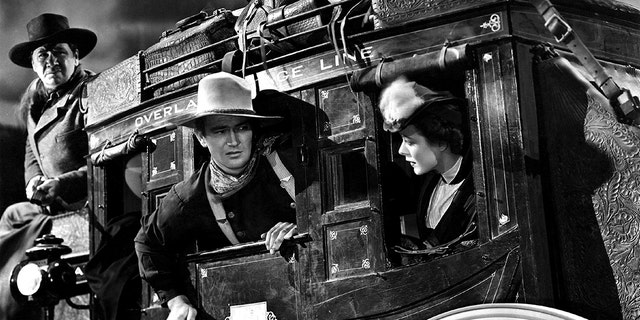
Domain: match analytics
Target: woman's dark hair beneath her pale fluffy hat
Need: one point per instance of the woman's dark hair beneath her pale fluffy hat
(438, 130)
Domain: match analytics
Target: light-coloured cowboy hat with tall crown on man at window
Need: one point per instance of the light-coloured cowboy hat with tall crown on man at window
(224, 94)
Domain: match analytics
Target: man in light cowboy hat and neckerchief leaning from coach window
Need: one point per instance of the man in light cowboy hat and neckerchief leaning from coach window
(244, 193)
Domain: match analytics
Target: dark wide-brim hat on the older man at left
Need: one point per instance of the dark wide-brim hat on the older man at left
(51, 28)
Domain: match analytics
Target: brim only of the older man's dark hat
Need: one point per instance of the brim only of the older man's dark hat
(84, 39)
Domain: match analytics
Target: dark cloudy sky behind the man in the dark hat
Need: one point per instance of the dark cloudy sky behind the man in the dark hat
(123, 27)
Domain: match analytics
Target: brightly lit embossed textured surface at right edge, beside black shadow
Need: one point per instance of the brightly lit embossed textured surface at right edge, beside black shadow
(617, 200)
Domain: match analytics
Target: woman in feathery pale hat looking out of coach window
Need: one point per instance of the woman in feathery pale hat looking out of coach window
(435, 144)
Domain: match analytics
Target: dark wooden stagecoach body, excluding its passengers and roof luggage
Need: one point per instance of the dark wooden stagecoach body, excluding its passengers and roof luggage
(346, 268)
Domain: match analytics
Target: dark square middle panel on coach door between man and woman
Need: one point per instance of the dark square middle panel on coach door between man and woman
(346, 177)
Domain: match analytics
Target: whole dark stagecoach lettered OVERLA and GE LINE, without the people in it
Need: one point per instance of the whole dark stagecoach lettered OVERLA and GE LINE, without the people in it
(539, 239)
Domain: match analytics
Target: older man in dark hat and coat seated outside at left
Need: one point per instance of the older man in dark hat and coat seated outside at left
(55, 168)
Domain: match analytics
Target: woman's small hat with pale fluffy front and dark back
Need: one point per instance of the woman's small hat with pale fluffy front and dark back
(402, 101)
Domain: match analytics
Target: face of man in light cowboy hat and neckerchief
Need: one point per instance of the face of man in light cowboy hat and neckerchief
(228, 139)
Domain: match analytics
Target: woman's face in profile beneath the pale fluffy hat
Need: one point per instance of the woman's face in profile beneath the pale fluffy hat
(421, 154)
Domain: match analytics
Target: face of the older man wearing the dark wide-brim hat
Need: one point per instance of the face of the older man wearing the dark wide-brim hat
(54, 64)
